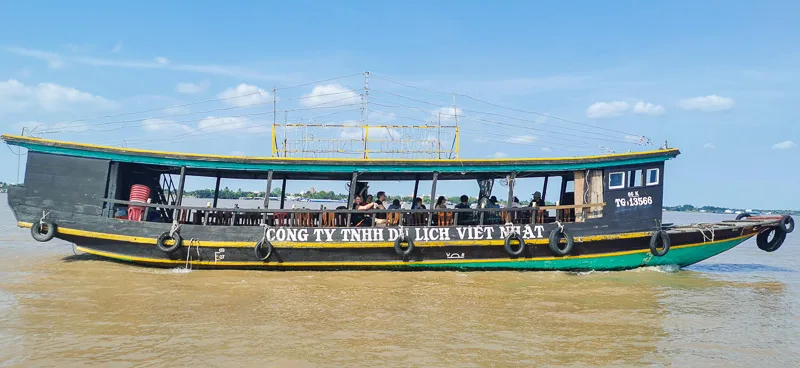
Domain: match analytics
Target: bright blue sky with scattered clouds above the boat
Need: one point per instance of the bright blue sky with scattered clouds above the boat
(717, 79)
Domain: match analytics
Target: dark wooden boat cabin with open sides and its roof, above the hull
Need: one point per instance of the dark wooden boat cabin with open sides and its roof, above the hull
(601, 192)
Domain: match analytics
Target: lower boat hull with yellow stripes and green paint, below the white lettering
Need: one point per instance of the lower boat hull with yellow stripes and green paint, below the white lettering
(606, 252)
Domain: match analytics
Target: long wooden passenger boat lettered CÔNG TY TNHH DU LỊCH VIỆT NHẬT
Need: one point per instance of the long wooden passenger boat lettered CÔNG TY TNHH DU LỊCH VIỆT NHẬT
(608, 214)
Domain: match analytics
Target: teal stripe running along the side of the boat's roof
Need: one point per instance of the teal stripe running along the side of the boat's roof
(227, 165)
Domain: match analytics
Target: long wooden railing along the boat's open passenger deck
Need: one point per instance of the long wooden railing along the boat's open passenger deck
(338, 217)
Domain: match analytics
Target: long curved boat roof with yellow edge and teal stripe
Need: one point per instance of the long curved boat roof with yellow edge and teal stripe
(333, 168)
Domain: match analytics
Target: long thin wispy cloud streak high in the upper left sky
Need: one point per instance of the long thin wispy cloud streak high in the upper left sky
(55, 60)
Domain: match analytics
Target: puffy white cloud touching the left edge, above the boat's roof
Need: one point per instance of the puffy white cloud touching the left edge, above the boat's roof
(15, 95)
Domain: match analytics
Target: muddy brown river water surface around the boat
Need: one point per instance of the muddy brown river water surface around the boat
(739, 309)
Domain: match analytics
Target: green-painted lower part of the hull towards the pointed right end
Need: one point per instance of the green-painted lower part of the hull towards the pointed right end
(679, 256)
